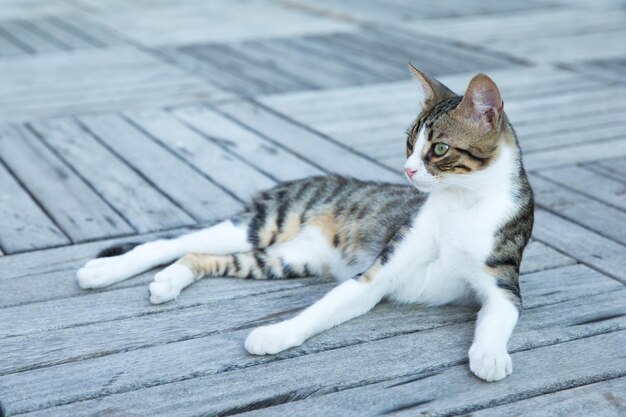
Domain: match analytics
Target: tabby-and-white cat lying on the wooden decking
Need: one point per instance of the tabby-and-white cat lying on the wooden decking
(455, 234)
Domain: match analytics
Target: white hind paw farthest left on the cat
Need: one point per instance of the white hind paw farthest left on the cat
(101, 272)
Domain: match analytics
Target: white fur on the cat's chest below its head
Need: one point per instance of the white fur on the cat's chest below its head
(450, 240)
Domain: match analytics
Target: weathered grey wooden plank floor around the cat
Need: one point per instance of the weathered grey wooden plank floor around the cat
(125, 120)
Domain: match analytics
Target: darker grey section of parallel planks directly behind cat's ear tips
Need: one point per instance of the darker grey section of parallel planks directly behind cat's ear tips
(317, 61)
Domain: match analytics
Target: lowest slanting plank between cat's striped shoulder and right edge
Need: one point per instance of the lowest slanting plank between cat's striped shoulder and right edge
(581, 244)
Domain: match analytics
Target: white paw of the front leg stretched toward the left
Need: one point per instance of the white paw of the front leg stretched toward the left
(272, 339)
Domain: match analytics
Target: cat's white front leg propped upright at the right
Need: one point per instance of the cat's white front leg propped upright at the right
(488, 355)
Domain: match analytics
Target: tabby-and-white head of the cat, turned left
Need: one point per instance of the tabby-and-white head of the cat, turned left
(454, 138)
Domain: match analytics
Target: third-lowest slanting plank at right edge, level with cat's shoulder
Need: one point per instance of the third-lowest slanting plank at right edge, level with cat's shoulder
(586, 181)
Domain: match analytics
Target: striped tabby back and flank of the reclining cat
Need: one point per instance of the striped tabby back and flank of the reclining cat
(354, 215)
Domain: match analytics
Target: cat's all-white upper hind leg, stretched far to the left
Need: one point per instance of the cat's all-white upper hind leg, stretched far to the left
(223, 238)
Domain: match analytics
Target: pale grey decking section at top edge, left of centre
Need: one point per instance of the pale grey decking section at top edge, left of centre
(214, 22)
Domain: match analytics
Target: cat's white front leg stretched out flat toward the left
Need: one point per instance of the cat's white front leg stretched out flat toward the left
(351, 299)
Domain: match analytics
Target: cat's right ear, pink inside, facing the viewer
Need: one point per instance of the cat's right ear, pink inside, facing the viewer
(482, 104)
